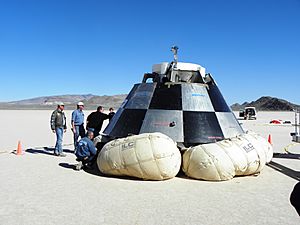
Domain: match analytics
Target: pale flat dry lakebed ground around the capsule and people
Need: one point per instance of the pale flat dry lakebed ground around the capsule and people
(39, 188)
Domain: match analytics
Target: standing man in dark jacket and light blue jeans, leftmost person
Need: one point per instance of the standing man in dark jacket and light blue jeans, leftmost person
(58, 126)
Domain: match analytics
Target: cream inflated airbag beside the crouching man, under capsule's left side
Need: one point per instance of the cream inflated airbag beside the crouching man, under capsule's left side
(150, 156)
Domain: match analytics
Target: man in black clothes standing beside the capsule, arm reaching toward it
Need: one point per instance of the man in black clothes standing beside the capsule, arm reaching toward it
(95, 120)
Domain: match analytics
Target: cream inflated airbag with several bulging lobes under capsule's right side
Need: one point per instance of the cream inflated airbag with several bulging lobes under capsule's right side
(243, 155)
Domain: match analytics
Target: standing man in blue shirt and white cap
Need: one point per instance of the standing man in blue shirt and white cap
(78, 123)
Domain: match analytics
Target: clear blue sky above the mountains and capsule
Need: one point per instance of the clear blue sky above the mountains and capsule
(53, 47)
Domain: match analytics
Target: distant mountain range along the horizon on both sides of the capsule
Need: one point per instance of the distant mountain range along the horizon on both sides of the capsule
(265, 103)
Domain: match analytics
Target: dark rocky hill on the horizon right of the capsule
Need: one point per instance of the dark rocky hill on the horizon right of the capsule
(267, 103)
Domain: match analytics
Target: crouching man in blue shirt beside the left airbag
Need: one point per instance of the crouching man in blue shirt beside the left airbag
(86, 152)
